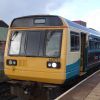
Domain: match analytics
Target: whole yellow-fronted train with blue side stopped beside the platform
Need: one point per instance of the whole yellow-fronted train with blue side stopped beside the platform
(49, 50)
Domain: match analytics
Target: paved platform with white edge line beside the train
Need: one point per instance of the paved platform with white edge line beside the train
(88, 89)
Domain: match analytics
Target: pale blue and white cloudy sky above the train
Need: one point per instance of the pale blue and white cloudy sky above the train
(86, 10)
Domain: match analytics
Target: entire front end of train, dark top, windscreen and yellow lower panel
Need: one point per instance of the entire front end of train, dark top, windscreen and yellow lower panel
(36, 49)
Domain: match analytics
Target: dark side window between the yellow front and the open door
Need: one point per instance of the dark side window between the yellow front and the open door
(75, 41)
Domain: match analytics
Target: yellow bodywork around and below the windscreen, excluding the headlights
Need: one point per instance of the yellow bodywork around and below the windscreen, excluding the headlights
(35, 68)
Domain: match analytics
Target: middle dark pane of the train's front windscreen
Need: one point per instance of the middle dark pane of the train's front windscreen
(33, 43)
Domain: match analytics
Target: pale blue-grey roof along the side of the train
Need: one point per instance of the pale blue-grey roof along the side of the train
(82, 28)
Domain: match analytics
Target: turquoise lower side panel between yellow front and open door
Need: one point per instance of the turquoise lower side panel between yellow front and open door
(73, 69)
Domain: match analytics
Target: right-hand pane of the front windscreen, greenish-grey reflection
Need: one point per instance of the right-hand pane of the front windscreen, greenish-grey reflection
(53, 43)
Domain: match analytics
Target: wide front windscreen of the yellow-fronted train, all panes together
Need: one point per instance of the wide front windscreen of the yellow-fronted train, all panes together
(36, 43)
